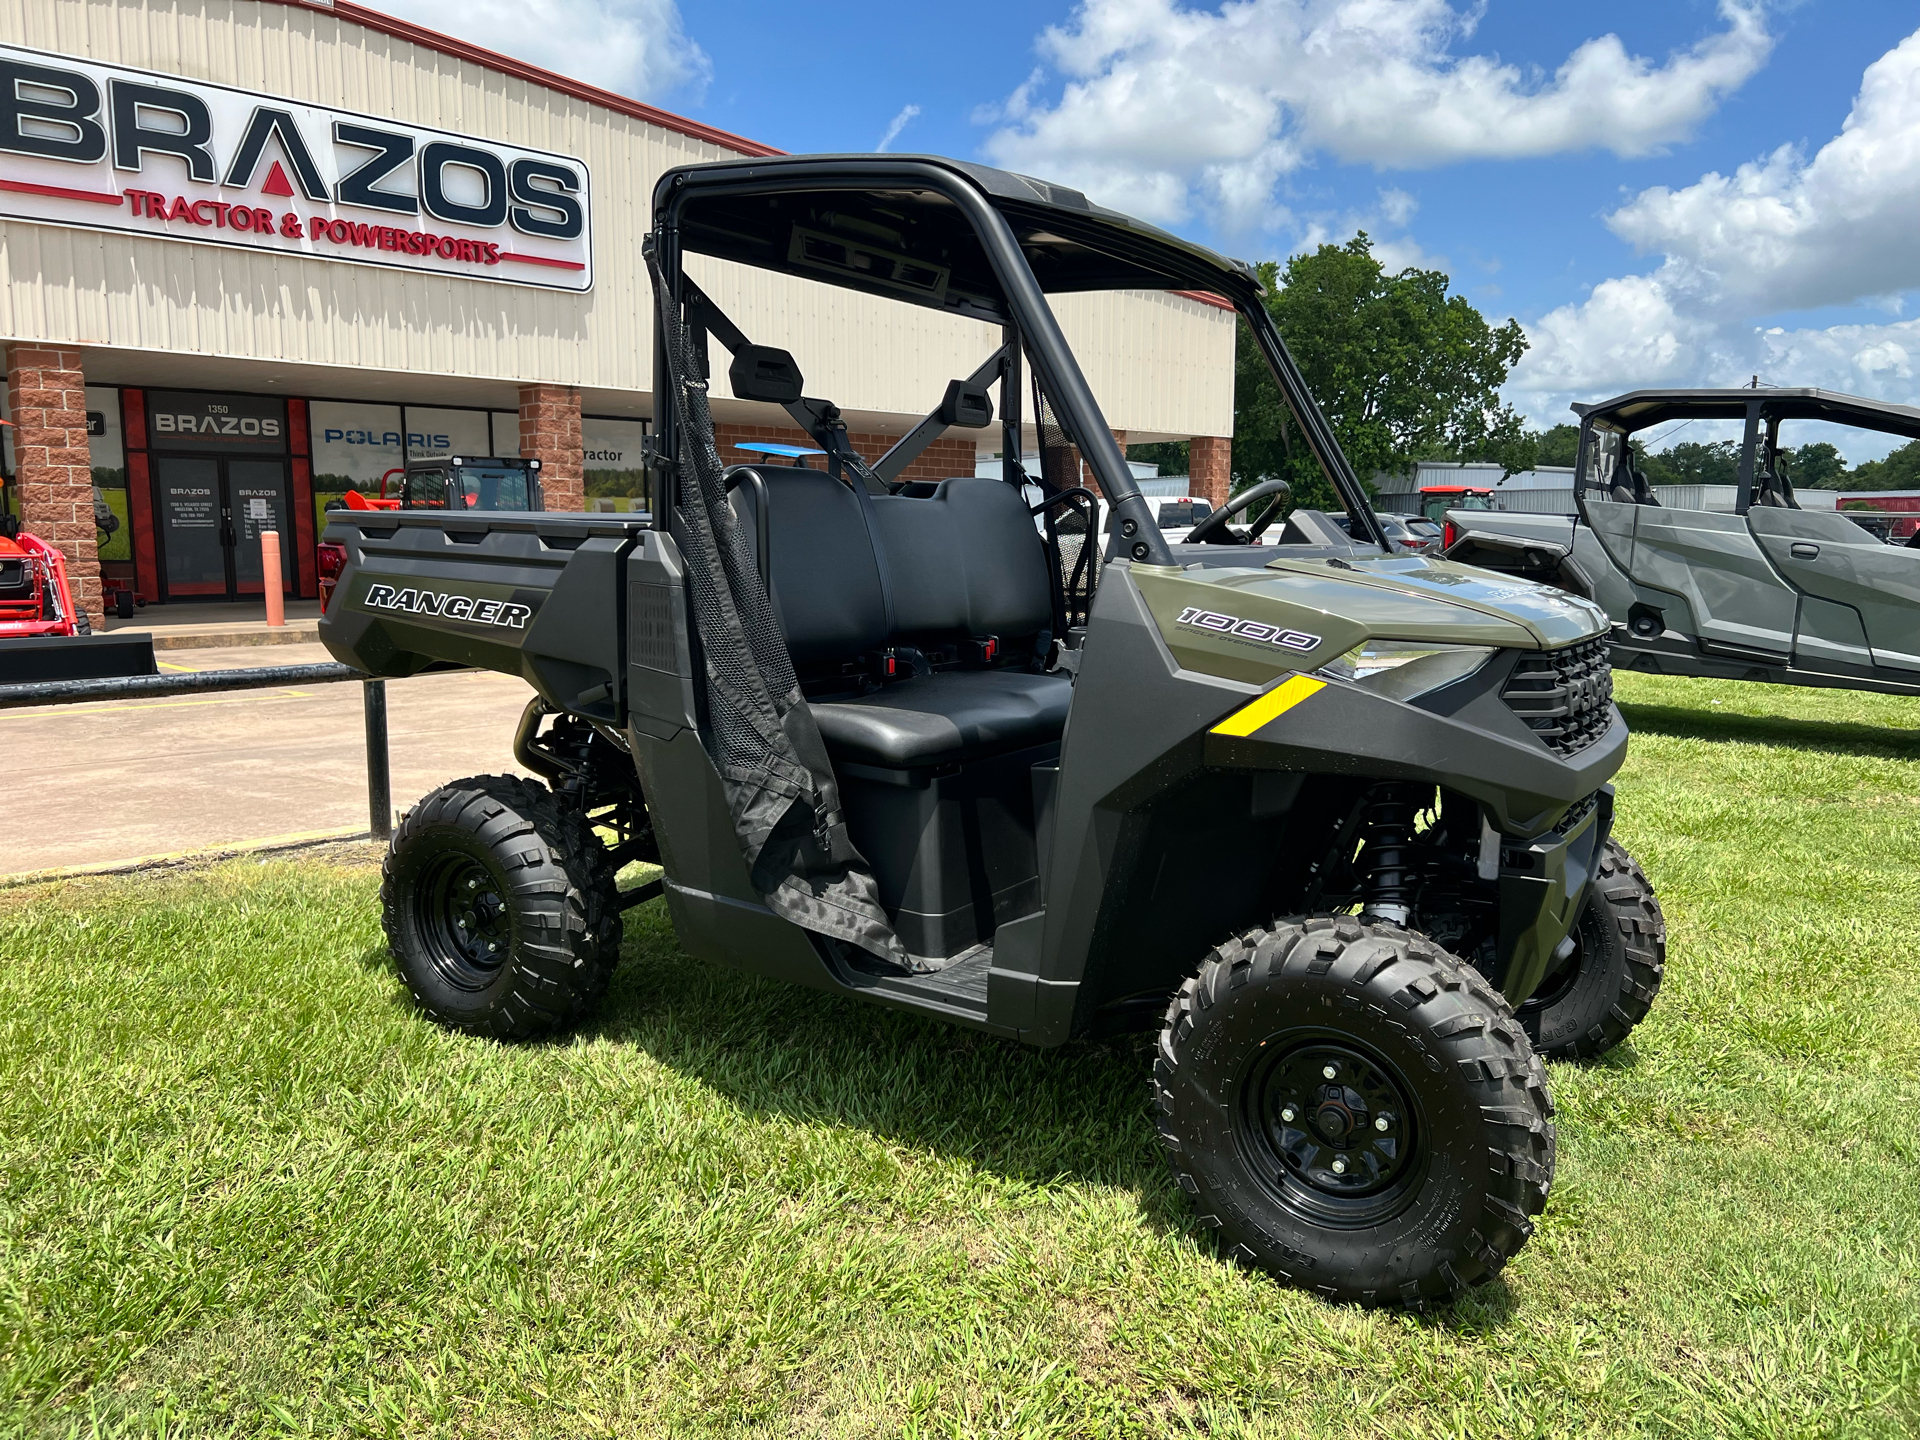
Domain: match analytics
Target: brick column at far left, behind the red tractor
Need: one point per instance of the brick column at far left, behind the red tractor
(55, 471)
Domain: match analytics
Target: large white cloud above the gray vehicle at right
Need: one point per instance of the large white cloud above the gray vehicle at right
(1779, 235)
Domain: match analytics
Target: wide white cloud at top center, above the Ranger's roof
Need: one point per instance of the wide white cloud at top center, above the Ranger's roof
(1166, 108)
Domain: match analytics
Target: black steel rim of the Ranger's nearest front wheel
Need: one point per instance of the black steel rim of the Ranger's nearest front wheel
(1339, 1149)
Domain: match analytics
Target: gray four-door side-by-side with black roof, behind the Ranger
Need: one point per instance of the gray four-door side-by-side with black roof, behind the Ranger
(1765, 592)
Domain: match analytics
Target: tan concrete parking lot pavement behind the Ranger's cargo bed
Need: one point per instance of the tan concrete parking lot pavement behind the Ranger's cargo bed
(195, 773)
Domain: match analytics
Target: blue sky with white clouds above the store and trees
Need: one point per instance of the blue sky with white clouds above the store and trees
(1573, 166)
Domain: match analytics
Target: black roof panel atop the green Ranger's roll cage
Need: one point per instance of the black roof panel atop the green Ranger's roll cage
(861, 222)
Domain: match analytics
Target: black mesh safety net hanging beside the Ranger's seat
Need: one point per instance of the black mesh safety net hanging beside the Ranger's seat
(759, 732)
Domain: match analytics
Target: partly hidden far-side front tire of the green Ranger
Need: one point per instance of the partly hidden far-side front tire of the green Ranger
(1608, 986)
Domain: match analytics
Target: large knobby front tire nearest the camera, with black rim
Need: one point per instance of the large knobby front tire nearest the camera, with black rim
(1408, 1174)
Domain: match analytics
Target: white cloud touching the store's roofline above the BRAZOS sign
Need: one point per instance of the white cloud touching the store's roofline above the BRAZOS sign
(631, 47)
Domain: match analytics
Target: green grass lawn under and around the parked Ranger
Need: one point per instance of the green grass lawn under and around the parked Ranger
(245, 1189)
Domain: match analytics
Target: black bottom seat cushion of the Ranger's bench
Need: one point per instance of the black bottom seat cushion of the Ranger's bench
(953, 715)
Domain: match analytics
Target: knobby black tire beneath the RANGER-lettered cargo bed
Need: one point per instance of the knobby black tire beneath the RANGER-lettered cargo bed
(500, 909)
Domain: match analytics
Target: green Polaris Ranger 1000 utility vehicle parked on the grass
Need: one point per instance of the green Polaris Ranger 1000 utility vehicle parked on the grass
(1335, 819)
